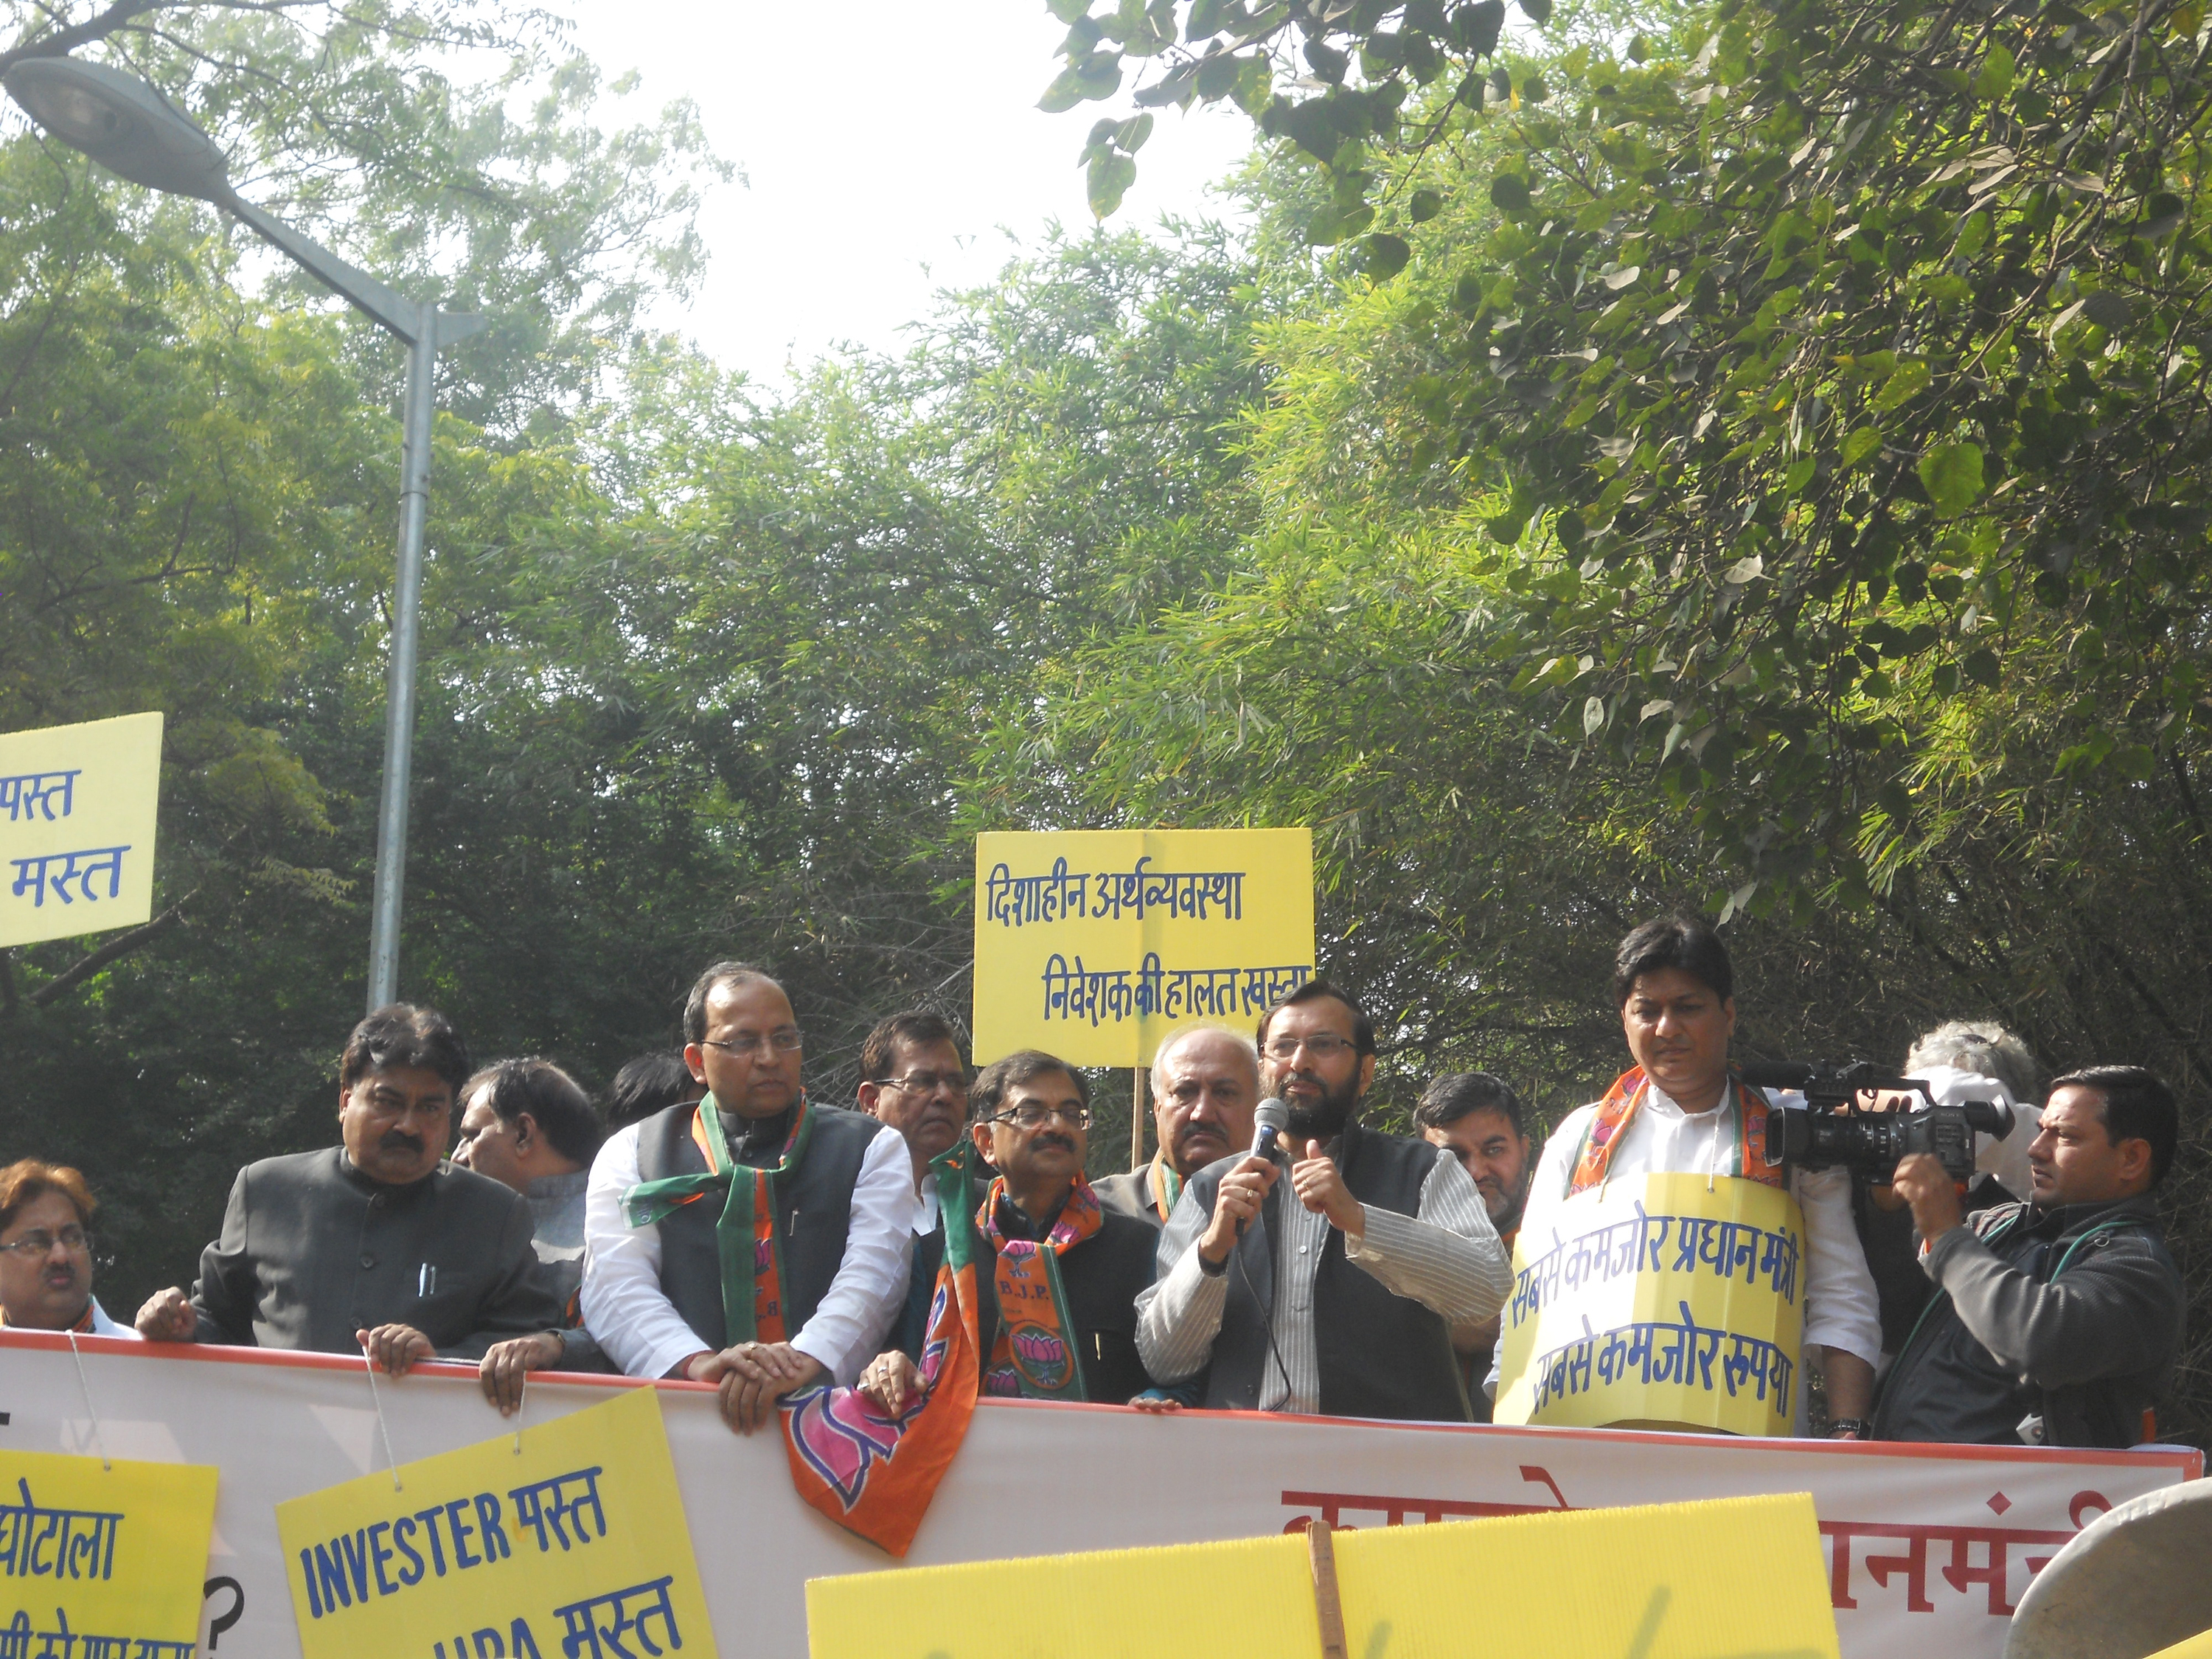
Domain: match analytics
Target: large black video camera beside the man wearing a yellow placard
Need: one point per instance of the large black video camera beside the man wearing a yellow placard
(1835, 1131)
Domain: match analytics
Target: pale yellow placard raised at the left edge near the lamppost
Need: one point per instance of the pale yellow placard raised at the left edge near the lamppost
(76, 828)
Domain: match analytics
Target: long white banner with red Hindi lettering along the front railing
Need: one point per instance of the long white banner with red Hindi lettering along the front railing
(1930, 1547)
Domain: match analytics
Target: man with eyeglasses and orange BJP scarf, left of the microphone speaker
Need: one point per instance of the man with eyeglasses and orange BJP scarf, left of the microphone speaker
(1056, 1273)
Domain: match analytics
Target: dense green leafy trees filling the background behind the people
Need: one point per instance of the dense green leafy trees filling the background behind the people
(1729, 455)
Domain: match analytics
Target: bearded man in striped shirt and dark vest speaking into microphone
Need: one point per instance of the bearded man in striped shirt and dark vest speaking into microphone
(1344, 1286)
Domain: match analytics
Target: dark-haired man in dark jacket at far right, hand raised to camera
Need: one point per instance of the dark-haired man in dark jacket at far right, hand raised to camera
(2056, 1322)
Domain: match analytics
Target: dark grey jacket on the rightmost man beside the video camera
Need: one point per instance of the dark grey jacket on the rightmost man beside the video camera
(2072, 1315)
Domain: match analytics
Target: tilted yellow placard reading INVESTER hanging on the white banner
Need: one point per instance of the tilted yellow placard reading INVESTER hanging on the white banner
(574, 1545)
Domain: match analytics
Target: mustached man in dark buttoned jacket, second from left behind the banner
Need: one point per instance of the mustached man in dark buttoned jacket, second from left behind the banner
(371, 1244)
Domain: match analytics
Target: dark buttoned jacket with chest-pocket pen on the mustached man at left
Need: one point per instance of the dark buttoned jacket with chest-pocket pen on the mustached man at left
(315, 1251)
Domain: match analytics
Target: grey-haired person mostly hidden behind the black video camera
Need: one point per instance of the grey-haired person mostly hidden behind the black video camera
(1959, 1061)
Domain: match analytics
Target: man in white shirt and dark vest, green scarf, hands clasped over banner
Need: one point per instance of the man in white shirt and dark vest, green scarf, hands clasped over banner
(751, 1240)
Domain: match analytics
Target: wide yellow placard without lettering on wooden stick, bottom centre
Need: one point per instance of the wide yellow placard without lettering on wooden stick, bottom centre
(1738, 1576)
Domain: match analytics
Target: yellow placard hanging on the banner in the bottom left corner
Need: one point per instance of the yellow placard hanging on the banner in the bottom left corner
(103, 1561)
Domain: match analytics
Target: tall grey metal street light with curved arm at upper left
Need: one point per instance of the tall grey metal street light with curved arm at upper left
(132, 129)
